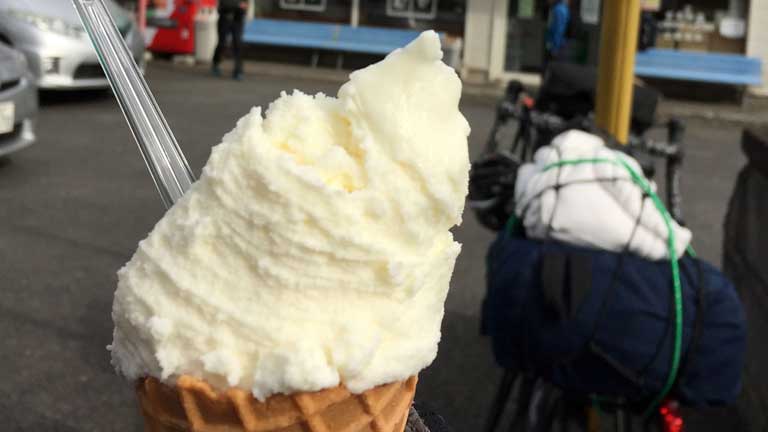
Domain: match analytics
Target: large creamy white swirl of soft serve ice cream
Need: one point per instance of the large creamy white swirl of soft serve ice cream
(315, 248)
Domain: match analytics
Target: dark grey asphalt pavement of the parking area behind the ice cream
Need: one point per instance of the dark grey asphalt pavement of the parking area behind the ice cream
(74, 206)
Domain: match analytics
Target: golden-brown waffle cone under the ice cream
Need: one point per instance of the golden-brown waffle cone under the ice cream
(194, 406)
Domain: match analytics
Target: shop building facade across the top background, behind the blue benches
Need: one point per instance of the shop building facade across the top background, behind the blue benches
(502, 40)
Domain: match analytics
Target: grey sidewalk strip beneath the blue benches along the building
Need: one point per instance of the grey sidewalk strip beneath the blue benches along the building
(752, 111)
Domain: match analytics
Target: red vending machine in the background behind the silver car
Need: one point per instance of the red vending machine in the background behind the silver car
(170, 25)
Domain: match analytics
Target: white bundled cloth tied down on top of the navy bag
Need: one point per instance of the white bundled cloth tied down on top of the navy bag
(596, 204)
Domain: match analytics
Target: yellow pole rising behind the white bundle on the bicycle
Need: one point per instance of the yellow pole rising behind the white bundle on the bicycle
(616, 72)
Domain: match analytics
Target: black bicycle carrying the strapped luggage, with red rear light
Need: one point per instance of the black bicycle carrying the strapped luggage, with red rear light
(493, 185)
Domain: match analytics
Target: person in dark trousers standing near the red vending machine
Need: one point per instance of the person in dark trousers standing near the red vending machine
(231, 23)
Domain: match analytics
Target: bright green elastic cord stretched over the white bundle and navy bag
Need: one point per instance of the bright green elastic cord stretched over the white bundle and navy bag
(676, 286)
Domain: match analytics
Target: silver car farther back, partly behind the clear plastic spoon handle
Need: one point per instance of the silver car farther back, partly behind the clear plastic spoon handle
(59, 52)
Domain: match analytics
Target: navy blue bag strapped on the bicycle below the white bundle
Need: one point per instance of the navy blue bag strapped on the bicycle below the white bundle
(601, 323)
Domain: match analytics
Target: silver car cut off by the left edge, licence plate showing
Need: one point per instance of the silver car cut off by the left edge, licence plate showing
(18, 102)
